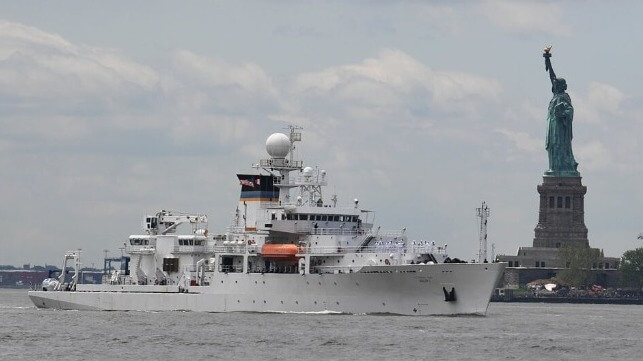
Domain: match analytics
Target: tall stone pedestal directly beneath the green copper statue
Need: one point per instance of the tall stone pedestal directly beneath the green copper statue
(561, 218)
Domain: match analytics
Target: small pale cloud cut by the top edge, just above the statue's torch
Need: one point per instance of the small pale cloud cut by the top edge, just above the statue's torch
(526, 17)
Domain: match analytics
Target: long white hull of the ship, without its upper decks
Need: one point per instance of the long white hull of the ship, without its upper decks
(405, 290)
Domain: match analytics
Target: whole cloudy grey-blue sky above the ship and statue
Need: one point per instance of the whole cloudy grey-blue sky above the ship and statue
(420, 109)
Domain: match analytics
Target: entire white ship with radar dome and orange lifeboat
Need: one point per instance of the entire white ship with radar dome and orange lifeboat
(287, 250)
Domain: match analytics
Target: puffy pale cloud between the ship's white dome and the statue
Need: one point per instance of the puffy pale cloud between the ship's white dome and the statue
(389, 83)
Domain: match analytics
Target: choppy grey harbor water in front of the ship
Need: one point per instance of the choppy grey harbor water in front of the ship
(510, 331)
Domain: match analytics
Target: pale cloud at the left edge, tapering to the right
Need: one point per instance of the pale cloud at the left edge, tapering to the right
(41, 66)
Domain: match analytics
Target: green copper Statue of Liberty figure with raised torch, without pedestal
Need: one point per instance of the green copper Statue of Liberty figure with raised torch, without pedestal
(559, 126)
